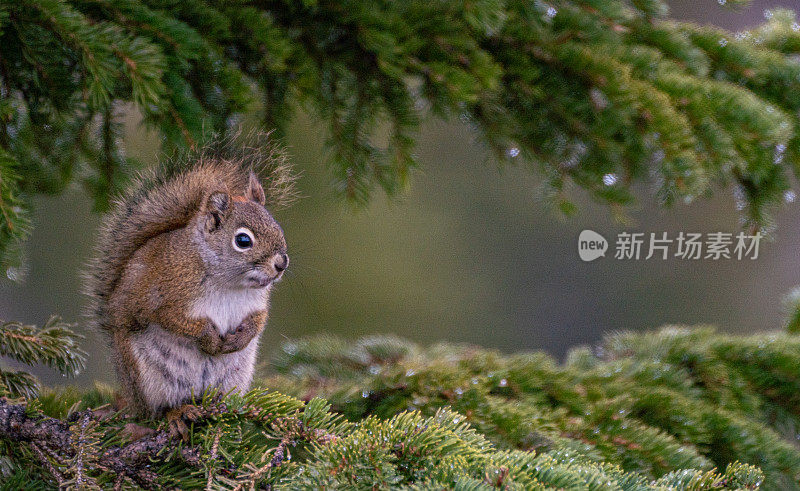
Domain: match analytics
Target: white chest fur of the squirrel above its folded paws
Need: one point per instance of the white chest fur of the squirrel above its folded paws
(228, 308)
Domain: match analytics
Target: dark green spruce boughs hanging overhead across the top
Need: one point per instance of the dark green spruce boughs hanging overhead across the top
(597, 93)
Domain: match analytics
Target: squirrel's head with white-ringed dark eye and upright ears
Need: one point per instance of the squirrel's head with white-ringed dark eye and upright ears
(241, 240)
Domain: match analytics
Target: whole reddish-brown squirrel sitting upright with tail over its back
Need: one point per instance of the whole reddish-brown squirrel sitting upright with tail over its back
(181, 276)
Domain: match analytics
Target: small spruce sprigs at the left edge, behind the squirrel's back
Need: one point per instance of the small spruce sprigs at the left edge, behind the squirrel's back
(54, 345)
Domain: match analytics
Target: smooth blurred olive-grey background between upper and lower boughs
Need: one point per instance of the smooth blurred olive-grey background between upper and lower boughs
(468, 254)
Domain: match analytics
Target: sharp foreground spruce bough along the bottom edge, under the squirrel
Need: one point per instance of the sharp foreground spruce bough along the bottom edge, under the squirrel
(268, 439)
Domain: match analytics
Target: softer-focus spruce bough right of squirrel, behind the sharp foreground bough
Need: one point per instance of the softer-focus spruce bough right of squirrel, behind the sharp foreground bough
(650, 404)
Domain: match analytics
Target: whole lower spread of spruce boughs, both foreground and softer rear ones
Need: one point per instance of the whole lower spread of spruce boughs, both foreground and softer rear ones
(680, 408)
